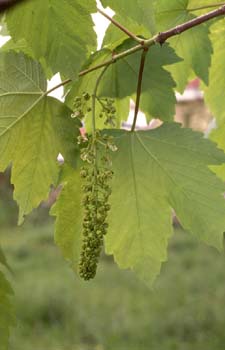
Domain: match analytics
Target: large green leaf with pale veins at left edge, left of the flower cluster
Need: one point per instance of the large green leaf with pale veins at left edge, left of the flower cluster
(34, 128)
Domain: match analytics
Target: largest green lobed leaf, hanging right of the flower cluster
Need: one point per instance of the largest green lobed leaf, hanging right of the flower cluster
(157, 171)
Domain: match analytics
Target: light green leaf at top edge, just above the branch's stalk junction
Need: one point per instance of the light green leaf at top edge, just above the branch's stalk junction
(140, 11)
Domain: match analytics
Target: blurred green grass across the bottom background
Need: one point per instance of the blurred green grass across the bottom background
(56, 311)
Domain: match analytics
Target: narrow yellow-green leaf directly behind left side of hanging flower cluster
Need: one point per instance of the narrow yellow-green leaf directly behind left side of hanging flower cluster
(69, 213)
